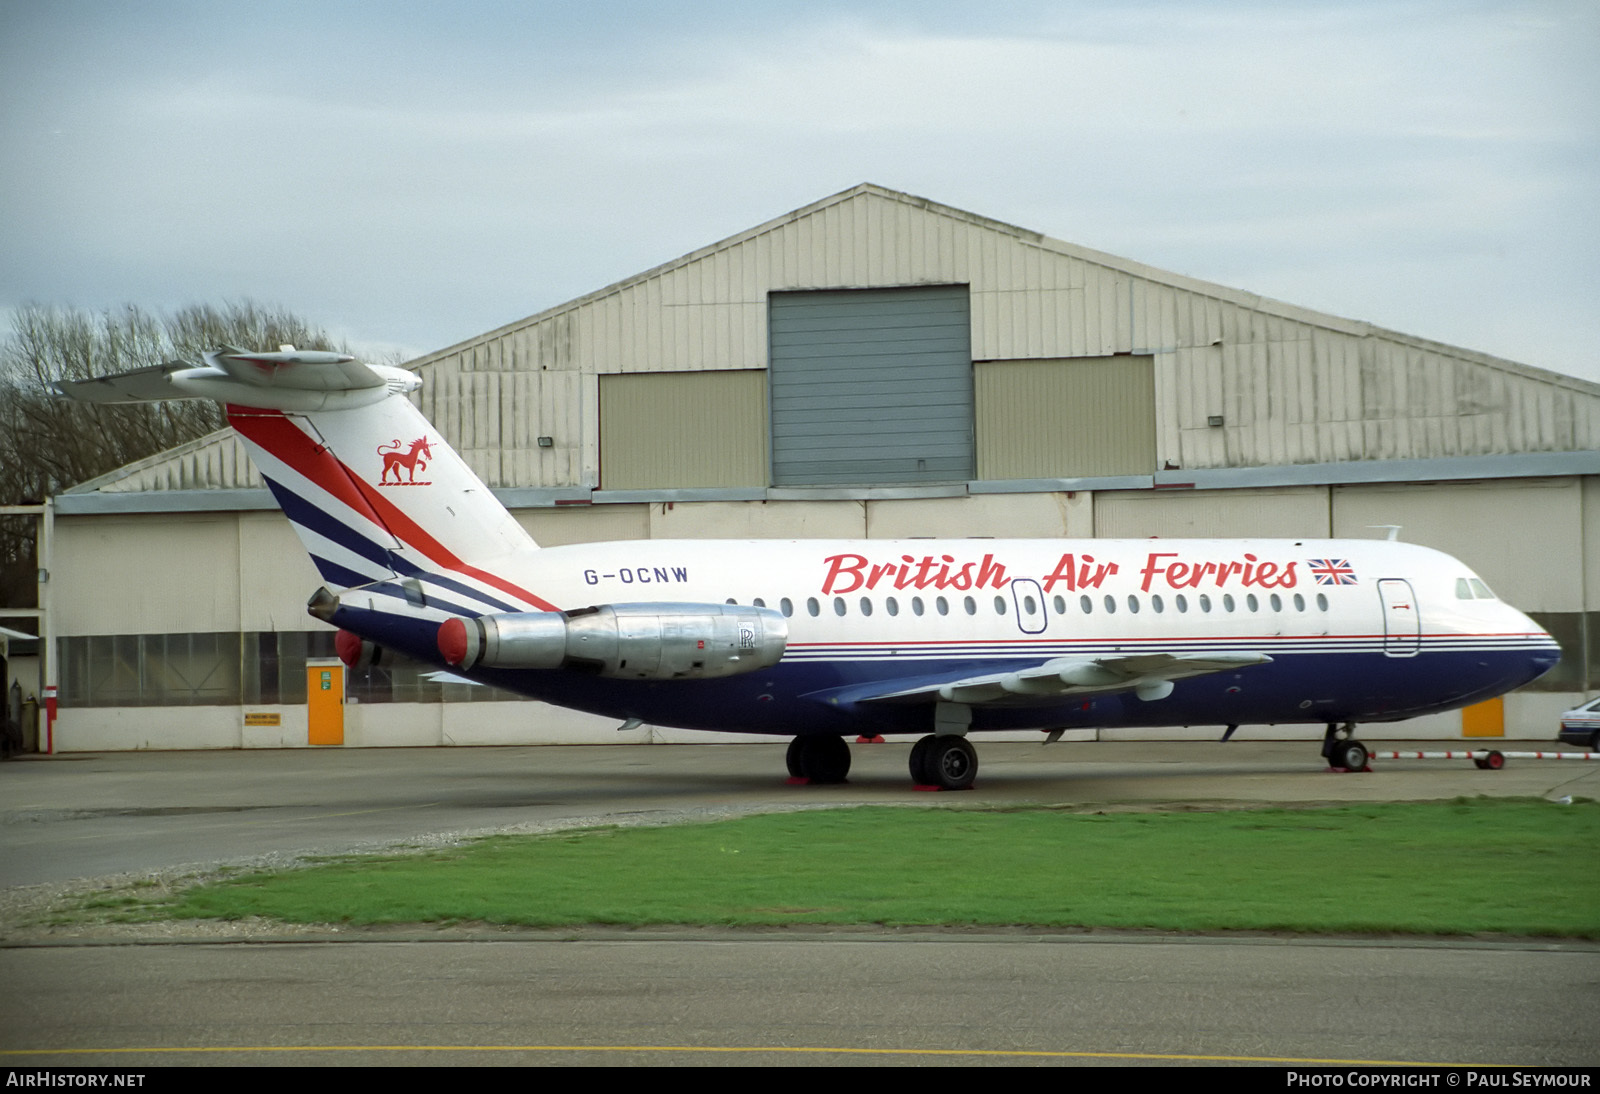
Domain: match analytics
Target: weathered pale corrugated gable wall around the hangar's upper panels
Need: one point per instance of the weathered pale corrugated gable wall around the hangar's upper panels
(1292, 385)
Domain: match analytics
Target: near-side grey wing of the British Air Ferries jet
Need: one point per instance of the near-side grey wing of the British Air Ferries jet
(1150, 676)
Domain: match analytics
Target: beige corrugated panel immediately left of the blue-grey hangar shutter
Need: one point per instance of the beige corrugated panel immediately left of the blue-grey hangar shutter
(684, 429)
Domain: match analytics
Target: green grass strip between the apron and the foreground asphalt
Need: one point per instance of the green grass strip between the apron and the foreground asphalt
(1465, 868)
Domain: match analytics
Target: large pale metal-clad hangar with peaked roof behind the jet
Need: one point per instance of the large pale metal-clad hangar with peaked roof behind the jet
(873, 365)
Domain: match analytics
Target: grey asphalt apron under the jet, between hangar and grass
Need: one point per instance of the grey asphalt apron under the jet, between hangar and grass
(90, 815)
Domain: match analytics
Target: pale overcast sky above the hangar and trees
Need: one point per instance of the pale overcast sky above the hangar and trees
(410, 175)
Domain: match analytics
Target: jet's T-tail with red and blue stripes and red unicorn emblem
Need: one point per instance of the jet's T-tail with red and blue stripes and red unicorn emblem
(372, 489)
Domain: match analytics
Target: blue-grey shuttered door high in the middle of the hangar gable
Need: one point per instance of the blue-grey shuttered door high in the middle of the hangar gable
(871, 386)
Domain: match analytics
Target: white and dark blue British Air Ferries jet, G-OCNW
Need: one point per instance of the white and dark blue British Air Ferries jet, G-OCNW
(830, 639)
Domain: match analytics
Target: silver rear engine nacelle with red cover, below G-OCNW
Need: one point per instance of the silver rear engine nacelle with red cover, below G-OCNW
(633, 642)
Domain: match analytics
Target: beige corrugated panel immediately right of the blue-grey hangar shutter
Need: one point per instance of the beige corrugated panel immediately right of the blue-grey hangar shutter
(1066, 418)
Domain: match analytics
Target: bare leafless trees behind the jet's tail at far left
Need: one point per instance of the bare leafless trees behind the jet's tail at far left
(49, 444)
